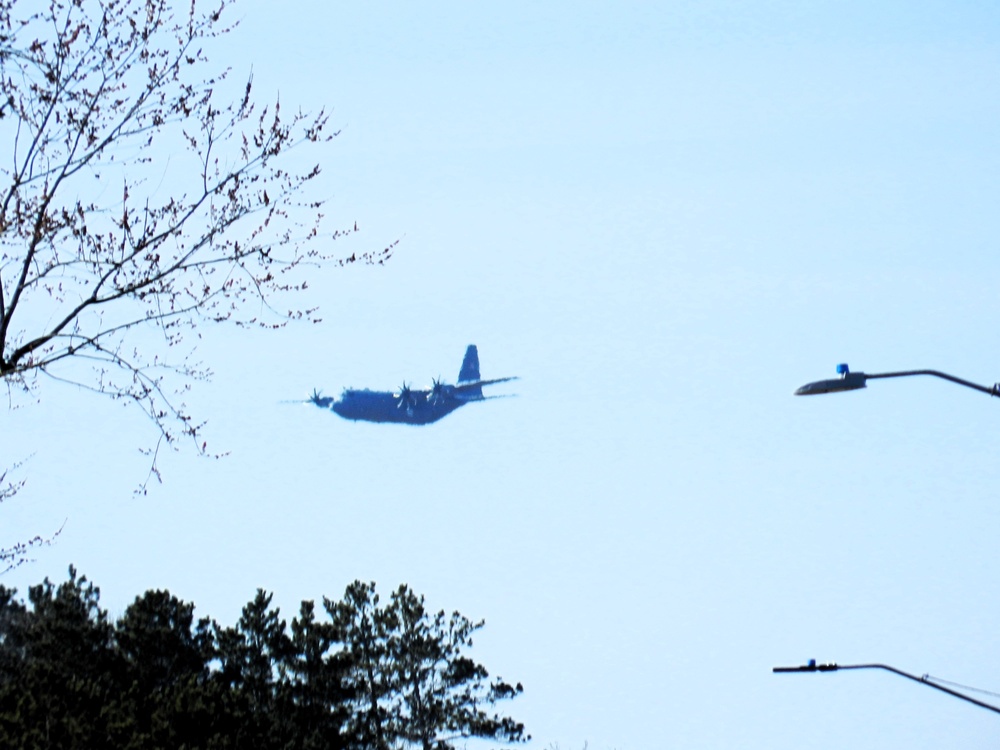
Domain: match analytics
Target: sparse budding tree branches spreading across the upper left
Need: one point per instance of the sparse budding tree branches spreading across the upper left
(96, 93)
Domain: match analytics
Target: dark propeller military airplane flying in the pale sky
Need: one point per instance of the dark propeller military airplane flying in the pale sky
(409, 405)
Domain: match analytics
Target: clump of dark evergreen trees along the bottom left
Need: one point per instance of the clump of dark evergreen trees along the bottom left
(366, 677)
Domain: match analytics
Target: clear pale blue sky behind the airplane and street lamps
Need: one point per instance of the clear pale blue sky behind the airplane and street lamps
(664, 217)
